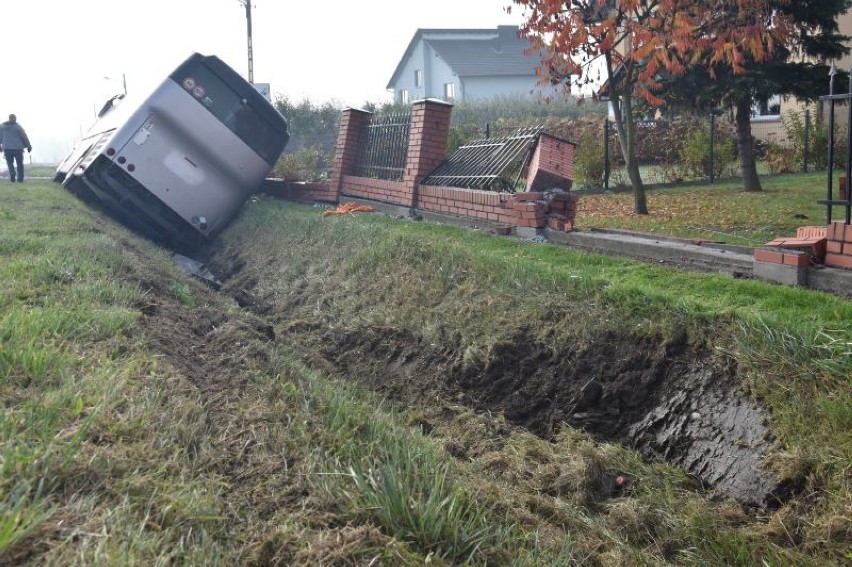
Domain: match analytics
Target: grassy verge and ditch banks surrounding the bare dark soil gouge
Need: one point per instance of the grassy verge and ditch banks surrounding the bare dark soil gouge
(149, 420)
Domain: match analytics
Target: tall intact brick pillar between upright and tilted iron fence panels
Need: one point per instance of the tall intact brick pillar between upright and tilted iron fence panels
(427, 142)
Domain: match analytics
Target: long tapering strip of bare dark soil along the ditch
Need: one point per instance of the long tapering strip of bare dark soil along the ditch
(664, 400)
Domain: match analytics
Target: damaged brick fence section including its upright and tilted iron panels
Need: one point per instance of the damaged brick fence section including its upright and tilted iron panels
(521, 180)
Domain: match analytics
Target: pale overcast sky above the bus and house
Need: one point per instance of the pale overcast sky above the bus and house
(64, 58)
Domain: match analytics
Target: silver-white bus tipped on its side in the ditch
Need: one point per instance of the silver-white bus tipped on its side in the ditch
(178, 166)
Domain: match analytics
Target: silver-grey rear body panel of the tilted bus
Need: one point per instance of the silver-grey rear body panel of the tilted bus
(188, 159)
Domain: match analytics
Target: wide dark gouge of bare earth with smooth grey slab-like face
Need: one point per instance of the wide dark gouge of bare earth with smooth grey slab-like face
(662, 399)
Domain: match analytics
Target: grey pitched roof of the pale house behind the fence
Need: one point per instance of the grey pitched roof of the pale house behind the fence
(500, 52)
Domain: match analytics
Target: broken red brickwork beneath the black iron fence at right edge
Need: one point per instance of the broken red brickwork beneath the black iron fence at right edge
(830, 245)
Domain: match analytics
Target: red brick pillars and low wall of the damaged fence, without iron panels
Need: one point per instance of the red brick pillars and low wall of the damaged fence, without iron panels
(546, 201)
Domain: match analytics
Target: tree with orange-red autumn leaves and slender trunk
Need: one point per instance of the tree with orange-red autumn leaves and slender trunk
(622, 49)
